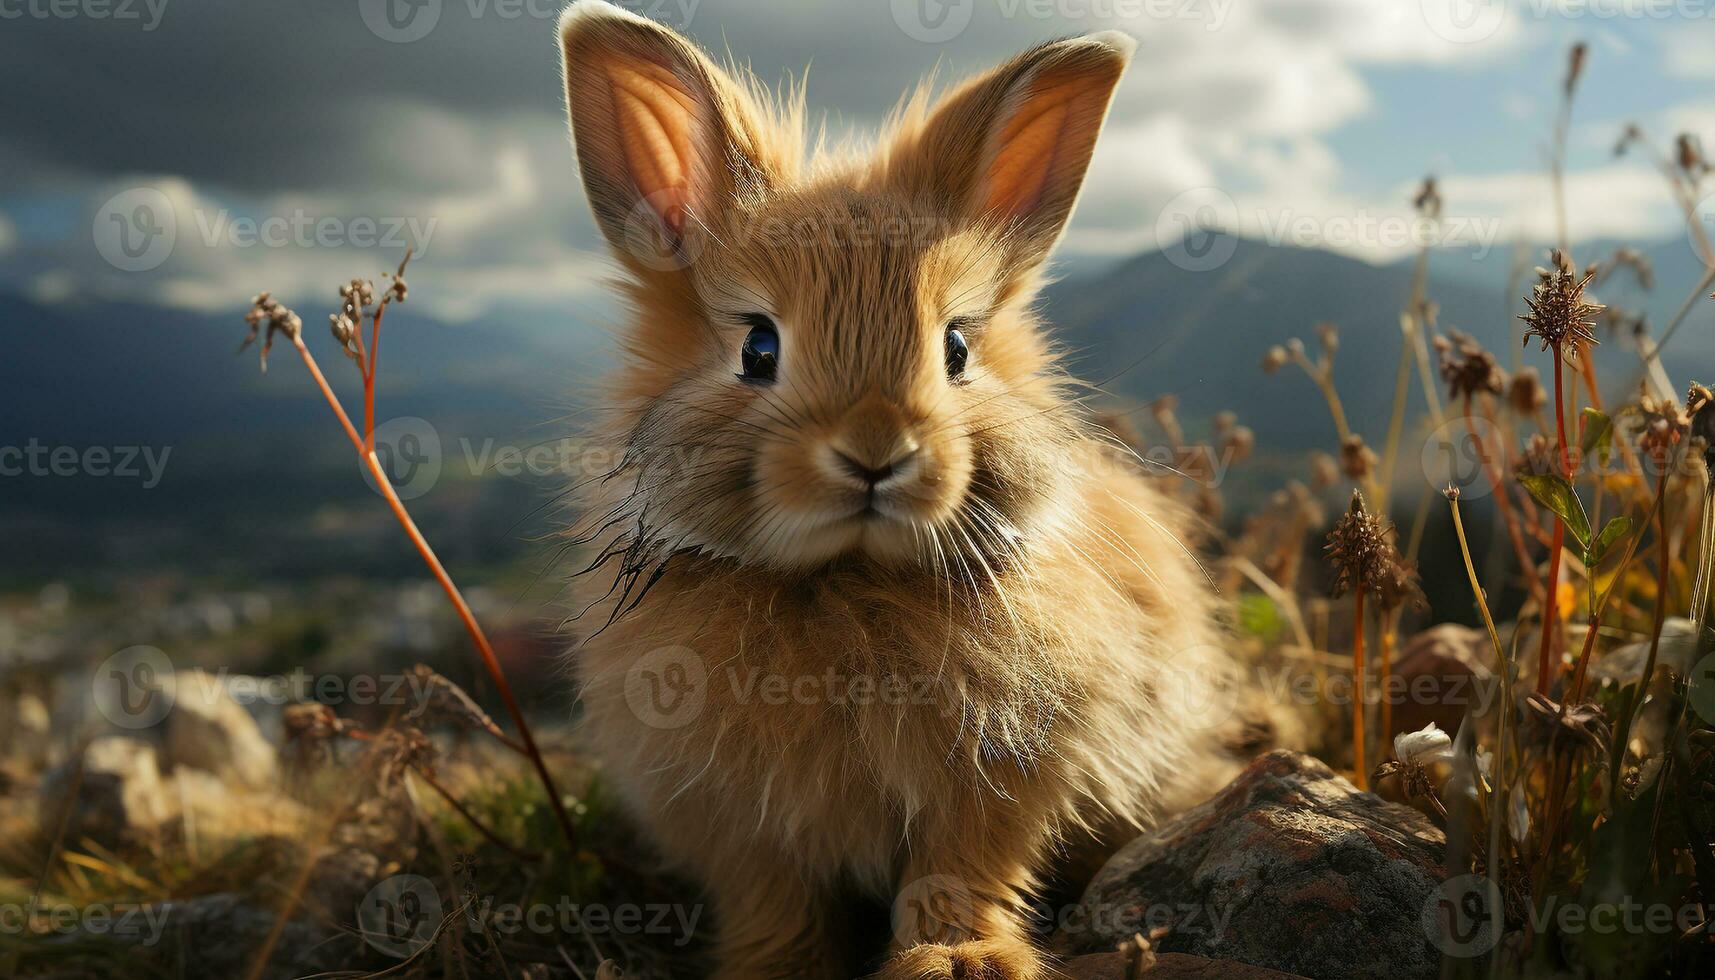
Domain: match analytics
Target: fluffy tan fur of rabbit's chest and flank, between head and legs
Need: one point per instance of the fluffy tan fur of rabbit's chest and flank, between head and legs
(841, 713)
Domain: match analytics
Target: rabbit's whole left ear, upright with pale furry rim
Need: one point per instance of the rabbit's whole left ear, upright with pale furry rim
(665, 138)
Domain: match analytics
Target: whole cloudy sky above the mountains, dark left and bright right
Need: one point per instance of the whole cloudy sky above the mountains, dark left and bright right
(193, 152)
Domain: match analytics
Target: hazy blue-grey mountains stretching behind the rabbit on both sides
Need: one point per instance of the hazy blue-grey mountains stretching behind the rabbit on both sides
(260, 483)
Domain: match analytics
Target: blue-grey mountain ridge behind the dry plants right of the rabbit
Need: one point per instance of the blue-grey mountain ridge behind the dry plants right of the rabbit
(1201, 336)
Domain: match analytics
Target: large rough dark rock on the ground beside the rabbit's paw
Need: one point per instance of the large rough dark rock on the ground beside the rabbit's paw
(1289, 869)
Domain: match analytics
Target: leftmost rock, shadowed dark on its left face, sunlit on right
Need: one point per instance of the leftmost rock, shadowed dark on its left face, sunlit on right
(117, 795)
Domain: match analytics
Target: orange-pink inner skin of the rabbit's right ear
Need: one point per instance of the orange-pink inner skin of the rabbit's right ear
(1032, 147)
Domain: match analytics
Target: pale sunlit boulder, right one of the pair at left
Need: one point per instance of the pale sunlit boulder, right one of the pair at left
(212, 732)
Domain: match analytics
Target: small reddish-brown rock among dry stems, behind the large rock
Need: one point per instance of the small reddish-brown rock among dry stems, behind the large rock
(1438, 677)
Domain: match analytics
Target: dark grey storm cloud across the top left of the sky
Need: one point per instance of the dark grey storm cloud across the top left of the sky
(303, 95)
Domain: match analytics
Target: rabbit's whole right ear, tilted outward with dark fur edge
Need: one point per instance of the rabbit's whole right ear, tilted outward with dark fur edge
(1013, 147)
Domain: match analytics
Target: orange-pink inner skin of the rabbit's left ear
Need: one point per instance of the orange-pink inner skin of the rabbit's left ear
(656, 126)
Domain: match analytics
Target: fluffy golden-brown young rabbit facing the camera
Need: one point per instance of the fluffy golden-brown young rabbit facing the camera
(876, 608)
